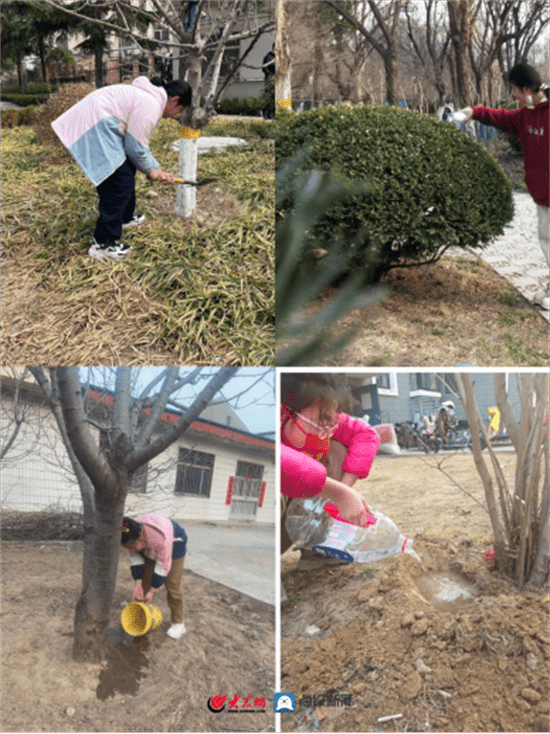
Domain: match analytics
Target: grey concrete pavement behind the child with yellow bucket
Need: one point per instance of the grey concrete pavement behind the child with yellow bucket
(238, 555)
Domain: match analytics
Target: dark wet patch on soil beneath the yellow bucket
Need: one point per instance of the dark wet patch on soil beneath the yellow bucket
(126, 664)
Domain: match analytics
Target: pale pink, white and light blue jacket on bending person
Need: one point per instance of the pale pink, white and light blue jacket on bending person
(111, 124)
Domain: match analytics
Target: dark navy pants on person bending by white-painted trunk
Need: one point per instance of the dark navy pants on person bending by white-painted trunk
(117, 201)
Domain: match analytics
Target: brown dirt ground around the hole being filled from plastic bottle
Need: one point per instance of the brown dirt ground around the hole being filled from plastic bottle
(483, 666)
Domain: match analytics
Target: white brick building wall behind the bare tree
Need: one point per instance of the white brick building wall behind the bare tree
(36, 475)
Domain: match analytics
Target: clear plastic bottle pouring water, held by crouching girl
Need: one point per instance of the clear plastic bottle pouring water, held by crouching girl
(311, 527)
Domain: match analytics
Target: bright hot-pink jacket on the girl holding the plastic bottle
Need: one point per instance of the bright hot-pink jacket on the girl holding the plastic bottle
(303, 476)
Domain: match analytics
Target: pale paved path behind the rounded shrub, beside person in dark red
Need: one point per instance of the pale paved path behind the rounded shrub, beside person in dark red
(517, 255)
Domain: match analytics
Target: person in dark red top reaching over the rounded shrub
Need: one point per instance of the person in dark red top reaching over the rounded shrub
(530, 122)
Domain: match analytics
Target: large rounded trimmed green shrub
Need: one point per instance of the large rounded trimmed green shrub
(416, 185)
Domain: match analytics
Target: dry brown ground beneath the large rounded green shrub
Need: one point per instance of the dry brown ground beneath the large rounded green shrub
(453, 312)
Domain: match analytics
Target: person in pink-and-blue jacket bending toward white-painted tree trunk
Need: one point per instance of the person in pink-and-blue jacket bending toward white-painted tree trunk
(107, 133)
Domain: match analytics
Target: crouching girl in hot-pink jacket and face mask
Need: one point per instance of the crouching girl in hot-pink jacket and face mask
(323, 451)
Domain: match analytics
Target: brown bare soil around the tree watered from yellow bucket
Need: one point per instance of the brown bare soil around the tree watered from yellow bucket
(148, 684)
